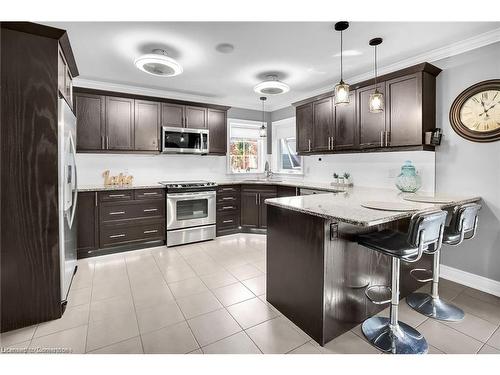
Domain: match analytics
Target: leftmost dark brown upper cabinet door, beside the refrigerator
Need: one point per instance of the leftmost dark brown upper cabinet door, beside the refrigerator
(91, 129)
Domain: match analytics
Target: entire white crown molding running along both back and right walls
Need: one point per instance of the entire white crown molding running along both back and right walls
(450, 50)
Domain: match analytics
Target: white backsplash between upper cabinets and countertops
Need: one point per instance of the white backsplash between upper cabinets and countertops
(373, 169)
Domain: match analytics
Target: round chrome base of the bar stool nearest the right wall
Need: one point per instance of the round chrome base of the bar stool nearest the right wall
(434, 307)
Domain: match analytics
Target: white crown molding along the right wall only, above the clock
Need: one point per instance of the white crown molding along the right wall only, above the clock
(457, 48)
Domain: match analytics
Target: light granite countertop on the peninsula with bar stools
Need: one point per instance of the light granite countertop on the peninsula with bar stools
(346, 206)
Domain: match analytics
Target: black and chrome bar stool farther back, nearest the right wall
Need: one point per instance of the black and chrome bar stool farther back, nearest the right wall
(463, 225)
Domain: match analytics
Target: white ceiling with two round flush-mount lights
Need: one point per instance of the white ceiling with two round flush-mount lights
(303, 54)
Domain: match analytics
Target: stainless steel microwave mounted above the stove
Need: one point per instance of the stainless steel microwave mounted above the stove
(184, 141)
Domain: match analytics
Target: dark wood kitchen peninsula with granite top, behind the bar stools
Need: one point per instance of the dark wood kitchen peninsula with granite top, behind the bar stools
(317, 273)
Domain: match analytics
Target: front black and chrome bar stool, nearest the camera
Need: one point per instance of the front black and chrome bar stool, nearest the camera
(424, 233)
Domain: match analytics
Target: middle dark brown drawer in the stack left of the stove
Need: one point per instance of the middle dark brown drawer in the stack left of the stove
(132, 210)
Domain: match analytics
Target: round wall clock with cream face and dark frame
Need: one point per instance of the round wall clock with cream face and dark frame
(475, 113)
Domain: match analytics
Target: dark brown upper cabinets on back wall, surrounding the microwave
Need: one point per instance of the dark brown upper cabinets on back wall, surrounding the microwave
(128, 123)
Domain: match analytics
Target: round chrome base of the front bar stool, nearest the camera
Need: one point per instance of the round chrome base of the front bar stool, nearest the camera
(399, 339)
